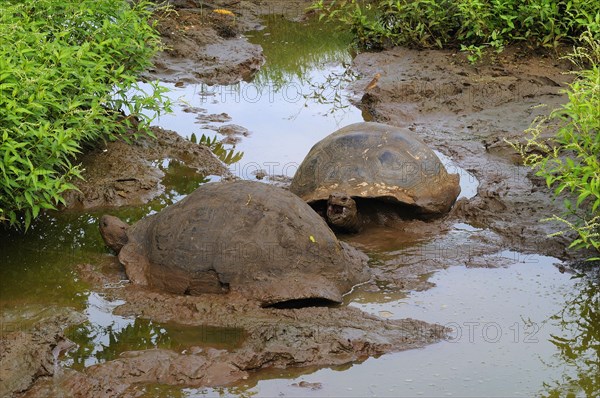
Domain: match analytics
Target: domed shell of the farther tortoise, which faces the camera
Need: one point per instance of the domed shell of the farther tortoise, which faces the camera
(374, 160)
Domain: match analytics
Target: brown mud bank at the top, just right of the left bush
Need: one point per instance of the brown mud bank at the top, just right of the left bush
(203, 46)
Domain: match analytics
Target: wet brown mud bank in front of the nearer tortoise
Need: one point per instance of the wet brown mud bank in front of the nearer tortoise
(274, 338)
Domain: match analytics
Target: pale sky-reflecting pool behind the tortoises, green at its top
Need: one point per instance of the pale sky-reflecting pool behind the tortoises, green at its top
(295, 100)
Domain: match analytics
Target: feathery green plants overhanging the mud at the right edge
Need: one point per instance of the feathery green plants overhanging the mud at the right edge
(570, 160)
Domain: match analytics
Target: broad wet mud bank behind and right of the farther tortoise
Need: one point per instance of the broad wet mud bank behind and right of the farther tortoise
(466, 112)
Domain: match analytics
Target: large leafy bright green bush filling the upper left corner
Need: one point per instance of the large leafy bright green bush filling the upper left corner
(68, 75)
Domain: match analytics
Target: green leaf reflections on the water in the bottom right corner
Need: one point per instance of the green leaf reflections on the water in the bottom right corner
(579, 346)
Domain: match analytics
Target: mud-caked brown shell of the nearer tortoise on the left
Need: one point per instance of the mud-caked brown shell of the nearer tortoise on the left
(259, 240)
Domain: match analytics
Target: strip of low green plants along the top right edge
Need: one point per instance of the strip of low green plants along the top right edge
(472, 25)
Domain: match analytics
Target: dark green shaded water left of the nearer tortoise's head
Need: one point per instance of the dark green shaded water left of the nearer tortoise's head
(40, 266)
